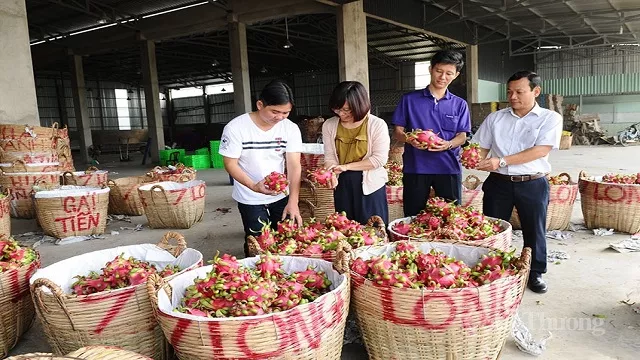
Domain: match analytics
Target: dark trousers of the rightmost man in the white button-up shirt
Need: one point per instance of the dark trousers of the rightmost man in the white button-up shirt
(531, 199)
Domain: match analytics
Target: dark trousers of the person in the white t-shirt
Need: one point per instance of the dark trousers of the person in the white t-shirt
(251, 214)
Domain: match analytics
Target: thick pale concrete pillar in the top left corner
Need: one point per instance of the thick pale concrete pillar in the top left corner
(18, 104)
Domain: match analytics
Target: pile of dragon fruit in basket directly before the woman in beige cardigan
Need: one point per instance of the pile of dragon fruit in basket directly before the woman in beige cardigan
(314, 237)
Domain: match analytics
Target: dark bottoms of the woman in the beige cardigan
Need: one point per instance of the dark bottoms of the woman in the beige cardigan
(348, 197)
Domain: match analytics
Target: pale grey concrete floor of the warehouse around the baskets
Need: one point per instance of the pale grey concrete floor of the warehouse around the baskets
(593, 281)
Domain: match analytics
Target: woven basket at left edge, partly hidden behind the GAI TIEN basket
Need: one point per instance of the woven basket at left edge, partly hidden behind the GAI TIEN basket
(21, 187)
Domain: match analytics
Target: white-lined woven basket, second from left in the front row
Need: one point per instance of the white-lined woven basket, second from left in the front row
(121, 317)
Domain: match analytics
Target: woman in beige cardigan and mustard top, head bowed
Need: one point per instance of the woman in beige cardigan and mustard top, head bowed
(356, 148)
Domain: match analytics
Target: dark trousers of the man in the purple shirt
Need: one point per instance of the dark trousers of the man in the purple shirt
(416, 189)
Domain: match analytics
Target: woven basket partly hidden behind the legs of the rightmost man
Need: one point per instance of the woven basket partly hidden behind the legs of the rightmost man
(561, 200)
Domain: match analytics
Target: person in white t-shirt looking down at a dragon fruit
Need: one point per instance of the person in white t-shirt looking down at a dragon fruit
(254, 145)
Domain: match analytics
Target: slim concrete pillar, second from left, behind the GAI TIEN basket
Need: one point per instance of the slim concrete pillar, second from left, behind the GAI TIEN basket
(79, 91)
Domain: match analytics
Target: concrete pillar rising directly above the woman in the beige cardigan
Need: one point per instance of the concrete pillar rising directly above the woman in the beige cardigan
(352, 43)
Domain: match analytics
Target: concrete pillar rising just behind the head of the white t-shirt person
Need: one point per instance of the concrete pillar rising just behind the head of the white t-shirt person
(240, 67)
